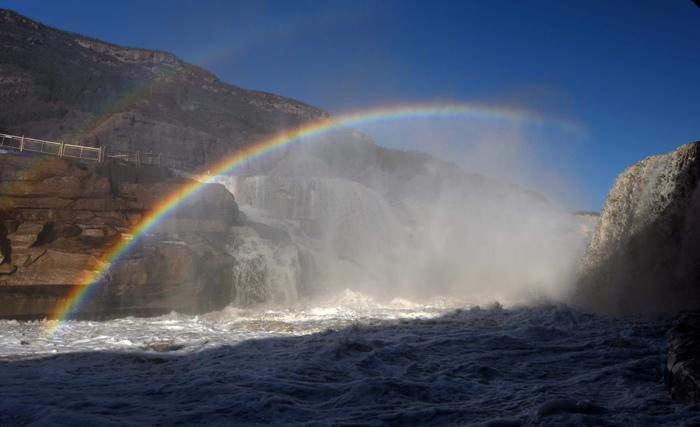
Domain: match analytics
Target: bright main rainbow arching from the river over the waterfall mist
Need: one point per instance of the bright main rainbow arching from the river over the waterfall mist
(229, 164)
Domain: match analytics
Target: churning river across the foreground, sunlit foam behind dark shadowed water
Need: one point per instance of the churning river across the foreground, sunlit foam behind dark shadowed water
(345, 361)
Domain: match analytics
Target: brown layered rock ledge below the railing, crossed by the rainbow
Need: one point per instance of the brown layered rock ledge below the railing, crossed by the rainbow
(59, 219)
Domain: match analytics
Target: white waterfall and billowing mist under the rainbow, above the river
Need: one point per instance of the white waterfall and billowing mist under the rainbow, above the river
(481, 242)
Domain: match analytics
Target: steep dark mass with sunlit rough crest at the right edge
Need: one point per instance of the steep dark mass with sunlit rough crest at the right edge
(645, 253)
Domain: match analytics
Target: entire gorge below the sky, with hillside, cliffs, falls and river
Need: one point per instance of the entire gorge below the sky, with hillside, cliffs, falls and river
(323, 279)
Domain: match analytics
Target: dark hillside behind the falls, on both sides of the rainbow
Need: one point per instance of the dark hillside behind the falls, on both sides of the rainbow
(64, 86)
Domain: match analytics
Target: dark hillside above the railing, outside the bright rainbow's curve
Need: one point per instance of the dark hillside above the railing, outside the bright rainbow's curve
(64, 86)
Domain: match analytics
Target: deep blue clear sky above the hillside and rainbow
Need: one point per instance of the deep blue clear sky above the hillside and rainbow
(626, 71)
